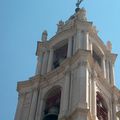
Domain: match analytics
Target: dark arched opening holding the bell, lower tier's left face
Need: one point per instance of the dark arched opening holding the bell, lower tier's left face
(52, 104)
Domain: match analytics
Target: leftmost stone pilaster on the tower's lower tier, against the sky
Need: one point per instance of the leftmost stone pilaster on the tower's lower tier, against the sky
(19, 107)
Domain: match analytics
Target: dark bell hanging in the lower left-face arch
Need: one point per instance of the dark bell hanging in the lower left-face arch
(52, 114)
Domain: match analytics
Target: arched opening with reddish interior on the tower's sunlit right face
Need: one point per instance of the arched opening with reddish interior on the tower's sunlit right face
(102, 112)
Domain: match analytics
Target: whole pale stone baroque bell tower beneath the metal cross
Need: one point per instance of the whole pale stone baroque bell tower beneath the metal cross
(74, 76)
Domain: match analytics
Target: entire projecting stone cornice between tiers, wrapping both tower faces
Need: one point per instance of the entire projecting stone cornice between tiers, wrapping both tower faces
(80, 58)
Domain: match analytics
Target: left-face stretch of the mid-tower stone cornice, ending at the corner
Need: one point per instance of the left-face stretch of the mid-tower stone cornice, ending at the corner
(38, 79)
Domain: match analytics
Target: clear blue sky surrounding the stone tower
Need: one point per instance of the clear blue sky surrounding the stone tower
(21, 25)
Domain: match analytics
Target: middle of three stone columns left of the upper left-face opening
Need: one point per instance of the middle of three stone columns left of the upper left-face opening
(45, 61)
